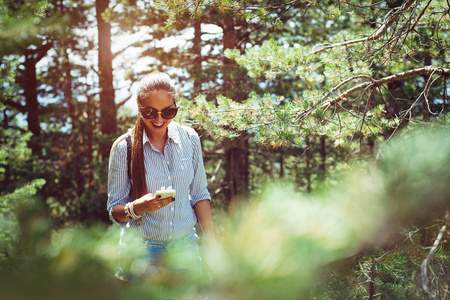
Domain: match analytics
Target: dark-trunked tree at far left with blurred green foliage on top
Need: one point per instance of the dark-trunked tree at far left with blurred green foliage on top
(33, 45)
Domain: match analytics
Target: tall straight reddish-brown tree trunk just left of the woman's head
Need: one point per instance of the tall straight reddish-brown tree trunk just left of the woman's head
(108, 110)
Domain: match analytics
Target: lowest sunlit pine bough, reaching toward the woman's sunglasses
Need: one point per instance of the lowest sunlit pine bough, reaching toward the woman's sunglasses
(275, 123)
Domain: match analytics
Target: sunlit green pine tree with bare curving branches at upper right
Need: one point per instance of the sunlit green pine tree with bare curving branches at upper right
(335, 104)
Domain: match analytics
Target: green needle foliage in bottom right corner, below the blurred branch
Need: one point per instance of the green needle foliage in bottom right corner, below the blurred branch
(395, 274)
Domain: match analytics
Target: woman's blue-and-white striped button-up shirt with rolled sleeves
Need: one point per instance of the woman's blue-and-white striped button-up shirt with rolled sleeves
(181, 166)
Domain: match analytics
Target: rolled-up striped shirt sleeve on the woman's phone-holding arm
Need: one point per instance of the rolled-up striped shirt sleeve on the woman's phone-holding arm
(119, 184)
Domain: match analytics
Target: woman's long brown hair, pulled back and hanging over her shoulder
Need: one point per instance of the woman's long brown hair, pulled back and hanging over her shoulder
(153, 82)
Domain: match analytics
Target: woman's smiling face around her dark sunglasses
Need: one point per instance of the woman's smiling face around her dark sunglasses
(157, 100)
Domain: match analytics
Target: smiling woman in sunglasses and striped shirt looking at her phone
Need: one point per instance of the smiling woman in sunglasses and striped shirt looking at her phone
(163, 154)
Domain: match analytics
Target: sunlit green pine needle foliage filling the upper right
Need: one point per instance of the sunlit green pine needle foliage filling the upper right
(321, 73)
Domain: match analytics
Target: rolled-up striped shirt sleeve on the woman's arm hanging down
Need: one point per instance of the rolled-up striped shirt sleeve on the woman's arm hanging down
(199, 186)
